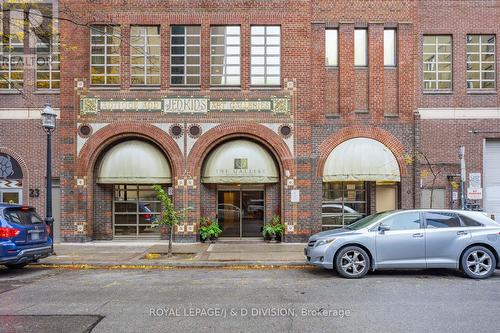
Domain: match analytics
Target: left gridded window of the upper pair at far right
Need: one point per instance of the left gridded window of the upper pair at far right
(437, 61)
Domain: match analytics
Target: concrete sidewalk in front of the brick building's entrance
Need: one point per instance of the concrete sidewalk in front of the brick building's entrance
(219, 254)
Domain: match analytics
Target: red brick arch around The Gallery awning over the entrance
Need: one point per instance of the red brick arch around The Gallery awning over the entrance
(254, 131)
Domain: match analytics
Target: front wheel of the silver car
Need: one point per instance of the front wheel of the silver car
(352, 262)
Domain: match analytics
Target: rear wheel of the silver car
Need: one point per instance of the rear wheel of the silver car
(478, 262)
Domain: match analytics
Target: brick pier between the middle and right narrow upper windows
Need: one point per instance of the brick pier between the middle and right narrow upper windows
(376, 71)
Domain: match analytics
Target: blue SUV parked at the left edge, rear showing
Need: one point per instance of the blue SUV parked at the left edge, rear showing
(24, 236)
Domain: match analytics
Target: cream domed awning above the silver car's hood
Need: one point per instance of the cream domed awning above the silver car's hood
(361, 159)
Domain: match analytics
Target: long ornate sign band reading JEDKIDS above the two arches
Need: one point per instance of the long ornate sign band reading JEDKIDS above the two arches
(184, 105)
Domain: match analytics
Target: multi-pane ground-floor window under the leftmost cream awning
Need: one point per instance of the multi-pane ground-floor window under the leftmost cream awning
(136, 209)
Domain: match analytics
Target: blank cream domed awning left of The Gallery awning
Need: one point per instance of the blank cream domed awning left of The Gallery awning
(134, 162)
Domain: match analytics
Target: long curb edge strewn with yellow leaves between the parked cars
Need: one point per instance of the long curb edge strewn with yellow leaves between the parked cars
(173, 265)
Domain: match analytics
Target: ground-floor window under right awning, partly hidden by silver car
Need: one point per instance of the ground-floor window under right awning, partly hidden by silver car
(343, 203)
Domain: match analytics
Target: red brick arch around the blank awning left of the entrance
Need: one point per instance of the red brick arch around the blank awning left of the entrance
(111, 133)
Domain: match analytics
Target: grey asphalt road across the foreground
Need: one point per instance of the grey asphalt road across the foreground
(224, 300)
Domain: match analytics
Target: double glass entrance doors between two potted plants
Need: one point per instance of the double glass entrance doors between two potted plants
(240, 212)
